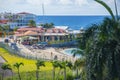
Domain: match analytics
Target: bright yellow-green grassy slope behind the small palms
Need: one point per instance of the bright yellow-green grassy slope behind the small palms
(29, 65)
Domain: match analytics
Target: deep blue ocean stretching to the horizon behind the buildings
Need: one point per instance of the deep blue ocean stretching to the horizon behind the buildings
(74, 22)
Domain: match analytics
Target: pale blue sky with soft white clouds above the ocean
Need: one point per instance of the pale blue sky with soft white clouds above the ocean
(57, 7)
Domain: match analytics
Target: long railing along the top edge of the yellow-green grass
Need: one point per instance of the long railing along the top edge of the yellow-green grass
(27, 53)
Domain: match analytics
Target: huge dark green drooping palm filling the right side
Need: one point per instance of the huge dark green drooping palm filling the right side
(101, 46)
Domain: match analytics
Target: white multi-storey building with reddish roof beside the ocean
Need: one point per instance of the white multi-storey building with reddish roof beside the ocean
(16, 20)
